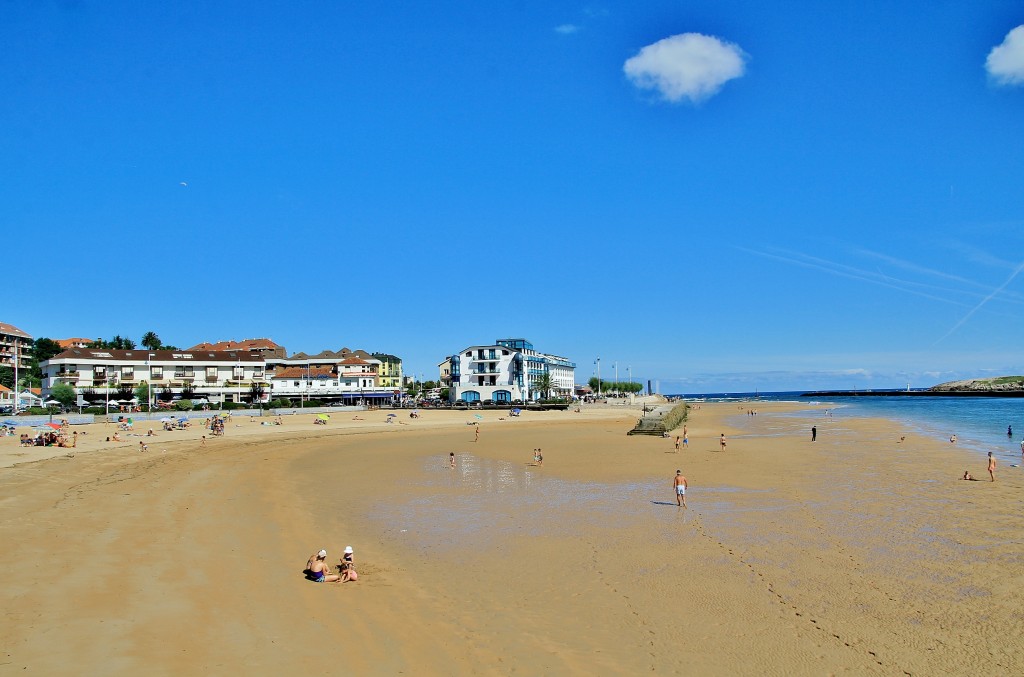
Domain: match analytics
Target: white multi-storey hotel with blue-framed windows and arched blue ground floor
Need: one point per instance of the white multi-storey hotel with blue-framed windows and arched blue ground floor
(506, 372)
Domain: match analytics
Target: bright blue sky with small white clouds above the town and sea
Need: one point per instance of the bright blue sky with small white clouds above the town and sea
(719, 195)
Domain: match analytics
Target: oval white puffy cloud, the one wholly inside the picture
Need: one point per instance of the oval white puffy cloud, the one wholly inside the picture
(688, 66)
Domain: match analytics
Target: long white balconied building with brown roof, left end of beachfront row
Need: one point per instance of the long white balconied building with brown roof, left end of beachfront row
(100, 375)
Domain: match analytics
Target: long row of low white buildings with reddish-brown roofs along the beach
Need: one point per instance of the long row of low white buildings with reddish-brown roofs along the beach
(224, 372)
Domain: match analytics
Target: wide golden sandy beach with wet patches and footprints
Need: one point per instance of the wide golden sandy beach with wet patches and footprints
(857, 554)
